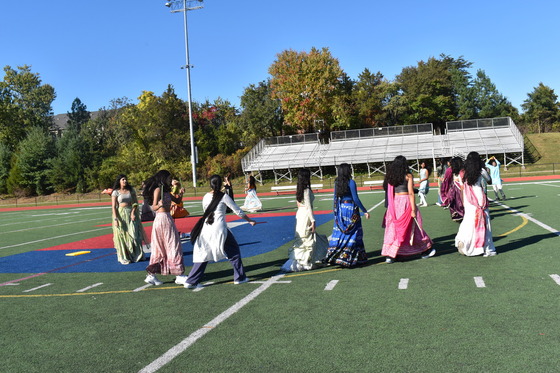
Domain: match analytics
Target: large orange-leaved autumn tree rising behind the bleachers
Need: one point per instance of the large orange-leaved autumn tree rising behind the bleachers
(306, 84)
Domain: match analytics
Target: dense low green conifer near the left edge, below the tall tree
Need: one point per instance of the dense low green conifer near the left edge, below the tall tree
(29, 175)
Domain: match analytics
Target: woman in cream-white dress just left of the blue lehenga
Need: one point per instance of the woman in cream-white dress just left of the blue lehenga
(309, 248)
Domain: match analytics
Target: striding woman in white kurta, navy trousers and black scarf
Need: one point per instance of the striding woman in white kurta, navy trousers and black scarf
(212, 240)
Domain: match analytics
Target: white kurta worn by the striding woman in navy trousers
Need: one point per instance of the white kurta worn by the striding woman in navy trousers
(209, 246)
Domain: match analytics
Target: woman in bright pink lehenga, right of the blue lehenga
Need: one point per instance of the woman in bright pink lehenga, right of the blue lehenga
(404, 235)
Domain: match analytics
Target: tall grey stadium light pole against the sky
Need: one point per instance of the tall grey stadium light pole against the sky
(184, 6)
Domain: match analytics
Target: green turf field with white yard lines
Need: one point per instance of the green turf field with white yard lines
(448, 313)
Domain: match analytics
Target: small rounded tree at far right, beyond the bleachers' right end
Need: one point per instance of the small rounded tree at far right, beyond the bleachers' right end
(542, 109)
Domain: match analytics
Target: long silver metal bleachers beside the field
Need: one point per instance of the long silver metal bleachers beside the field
(376, 146)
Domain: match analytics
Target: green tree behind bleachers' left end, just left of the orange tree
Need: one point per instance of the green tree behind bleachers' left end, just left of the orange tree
(261, 115)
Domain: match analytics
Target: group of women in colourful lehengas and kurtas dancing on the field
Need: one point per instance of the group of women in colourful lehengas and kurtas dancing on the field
(463, 192)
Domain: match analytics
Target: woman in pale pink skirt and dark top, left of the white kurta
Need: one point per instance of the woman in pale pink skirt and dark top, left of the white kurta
(167, 254)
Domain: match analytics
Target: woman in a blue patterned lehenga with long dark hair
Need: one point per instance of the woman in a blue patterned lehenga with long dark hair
(346, 246)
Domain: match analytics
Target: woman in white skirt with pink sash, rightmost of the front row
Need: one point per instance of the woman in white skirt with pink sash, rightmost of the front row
(475, 232)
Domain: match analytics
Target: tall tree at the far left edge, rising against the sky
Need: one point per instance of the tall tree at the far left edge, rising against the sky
(24, 103)
